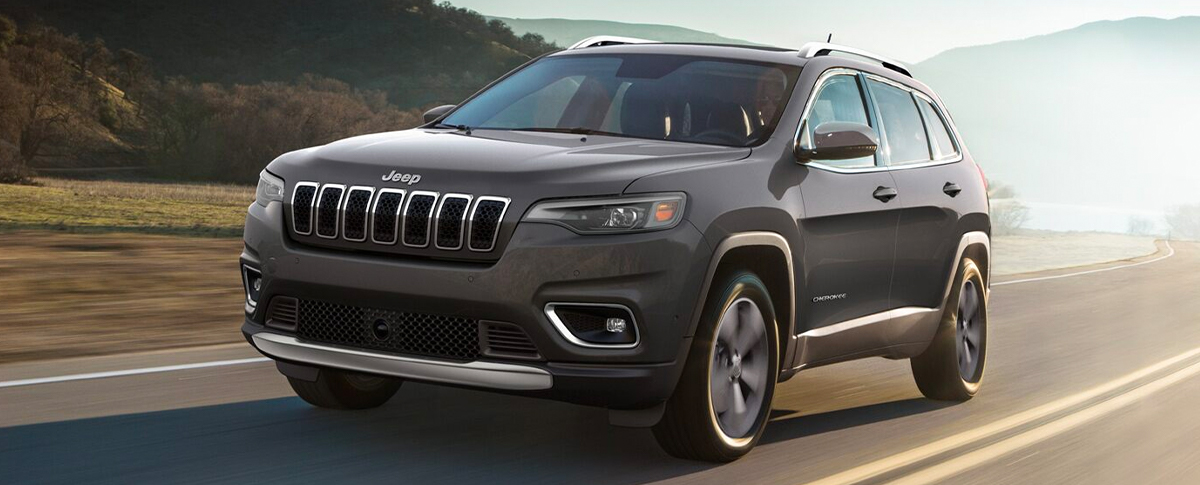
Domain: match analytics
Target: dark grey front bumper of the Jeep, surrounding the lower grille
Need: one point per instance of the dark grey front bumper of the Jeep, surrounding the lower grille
(657, 276)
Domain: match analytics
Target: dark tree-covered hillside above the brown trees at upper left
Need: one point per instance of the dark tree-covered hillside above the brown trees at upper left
(417, 51)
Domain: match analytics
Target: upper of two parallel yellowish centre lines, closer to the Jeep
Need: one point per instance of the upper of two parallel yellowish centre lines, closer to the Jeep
(929, 451)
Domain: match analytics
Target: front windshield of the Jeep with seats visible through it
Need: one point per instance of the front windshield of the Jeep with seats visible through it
(671, 98)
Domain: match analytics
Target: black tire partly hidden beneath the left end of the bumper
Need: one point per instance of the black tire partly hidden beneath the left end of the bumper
(337, 390)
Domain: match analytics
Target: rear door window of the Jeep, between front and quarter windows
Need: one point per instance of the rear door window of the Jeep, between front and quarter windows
(903, 128)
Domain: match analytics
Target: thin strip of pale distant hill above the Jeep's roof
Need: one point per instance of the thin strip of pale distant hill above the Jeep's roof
(568, 32)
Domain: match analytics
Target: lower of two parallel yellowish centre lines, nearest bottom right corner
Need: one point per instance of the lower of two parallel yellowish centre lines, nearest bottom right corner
(950, 469)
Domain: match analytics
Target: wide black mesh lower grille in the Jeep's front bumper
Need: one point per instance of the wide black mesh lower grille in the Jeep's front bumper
(417, 334)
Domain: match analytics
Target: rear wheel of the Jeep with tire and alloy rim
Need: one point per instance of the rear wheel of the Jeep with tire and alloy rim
(952, 368)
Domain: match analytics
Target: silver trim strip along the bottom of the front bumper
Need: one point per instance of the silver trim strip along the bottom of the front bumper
(484, 375)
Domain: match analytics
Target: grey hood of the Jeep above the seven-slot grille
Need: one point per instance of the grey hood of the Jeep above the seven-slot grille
(496, 163)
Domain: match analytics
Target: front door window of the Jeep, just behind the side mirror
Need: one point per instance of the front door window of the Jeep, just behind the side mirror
(839, 99)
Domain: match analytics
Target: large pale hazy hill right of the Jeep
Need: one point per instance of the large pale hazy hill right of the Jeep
(1101, 116)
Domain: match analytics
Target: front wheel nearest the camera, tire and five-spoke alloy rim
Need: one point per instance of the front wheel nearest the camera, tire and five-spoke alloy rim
(736, 352)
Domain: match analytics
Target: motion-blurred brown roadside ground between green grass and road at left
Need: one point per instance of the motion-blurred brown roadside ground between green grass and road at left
(65, 295)
